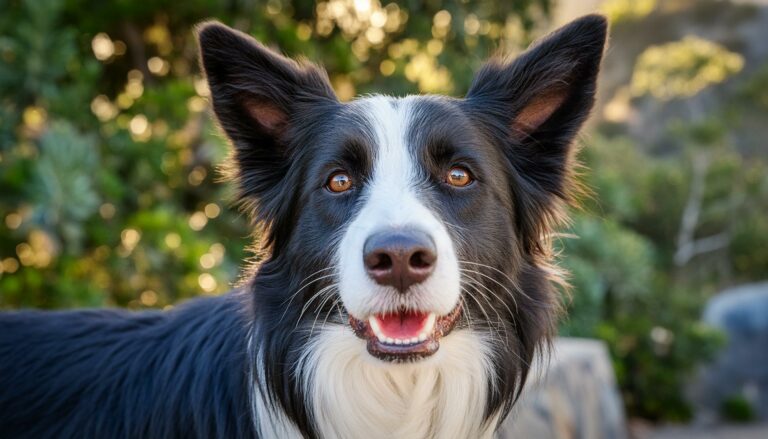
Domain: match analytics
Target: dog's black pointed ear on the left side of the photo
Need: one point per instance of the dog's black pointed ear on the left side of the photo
(258, 98)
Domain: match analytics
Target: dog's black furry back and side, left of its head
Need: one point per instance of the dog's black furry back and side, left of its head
(112, 374)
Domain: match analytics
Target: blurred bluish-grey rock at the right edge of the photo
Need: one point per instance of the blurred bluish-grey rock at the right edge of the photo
(741, 368)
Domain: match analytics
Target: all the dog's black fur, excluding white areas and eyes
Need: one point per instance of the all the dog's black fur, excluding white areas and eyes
(185, 373)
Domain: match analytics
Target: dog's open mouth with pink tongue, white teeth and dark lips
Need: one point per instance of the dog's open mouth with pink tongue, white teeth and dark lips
(404, 335)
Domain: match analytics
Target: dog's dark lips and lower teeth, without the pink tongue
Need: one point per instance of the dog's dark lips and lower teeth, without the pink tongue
(398, 350)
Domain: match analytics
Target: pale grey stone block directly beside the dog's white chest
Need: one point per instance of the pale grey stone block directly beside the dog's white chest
(574, 398)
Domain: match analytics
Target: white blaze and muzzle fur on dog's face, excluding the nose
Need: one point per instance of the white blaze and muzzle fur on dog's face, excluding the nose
(391, 200)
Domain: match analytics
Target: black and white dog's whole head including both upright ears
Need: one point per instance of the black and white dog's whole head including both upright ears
(407, 218)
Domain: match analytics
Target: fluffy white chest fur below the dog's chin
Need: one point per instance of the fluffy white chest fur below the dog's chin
(352, 395)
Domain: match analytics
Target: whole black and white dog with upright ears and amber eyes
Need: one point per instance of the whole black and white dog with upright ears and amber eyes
(408, 281)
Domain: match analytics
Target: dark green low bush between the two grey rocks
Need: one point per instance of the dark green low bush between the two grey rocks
(655, 348)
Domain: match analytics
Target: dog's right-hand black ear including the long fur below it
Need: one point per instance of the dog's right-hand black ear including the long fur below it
(534, 106)
